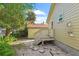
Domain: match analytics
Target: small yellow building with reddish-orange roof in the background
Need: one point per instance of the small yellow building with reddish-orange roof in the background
(34, 30)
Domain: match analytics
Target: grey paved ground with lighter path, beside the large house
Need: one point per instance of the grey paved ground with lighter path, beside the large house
(26, 48)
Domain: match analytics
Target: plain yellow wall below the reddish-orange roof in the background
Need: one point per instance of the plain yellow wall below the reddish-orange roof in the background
(37, 32)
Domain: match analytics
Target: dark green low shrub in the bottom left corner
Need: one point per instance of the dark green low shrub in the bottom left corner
(6, 50)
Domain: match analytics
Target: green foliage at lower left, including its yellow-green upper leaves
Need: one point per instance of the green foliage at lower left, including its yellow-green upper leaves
(5, 48)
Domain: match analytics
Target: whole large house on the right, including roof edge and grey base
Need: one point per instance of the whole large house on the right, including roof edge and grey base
(65, 17)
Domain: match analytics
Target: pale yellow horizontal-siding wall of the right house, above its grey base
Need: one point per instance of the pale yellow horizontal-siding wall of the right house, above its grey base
(63, 32)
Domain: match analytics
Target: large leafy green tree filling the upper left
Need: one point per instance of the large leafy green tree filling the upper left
(12, 16)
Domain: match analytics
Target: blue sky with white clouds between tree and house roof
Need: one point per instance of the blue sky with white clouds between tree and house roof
(41, 11)
